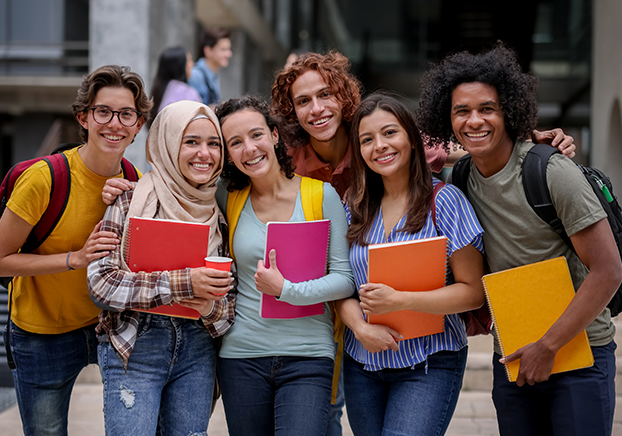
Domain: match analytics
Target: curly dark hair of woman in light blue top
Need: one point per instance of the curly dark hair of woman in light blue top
(236, 178)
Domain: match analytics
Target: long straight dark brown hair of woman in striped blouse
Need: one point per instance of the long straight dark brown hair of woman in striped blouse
(366, 187)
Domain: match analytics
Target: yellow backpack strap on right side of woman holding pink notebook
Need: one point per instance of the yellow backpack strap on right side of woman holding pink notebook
(312, 198)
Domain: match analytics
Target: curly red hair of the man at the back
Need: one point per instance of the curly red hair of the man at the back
(335, 70)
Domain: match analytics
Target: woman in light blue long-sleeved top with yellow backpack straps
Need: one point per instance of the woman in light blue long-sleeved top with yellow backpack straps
(275, 374)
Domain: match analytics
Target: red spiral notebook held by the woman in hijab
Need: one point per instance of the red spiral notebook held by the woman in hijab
(166, 245)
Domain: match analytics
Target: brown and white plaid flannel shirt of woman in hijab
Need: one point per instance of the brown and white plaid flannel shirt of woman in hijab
(121, 291)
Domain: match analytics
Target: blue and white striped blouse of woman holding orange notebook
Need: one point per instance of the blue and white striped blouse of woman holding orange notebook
(455, 219)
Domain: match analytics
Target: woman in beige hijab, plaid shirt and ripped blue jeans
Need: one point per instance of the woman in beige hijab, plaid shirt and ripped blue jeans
(154, 366)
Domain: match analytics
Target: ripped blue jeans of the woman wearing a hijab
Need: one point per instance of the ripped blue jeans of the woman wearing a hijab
(169, 378)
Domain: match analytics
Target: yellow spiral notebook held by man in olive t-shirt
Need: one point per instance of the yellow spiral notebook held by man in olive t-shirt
(525, 302)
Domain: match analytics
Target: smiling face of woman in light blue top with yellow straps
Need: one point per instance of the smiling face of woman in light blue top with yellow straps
(250, 143)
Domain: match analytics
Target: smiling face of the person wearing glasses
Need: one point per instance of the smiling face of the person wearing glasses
(113, 137)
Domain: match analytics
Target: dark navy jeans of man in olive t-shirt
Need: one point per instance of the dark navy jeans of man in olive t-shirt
(574, 403)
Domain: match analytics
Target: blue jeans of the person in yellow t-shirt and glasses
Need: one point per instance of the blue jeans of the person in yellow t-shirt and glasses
(47, 368)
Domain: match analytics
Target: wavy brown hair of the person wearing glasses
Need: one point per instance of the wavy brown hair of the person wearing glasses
(113, 76)
